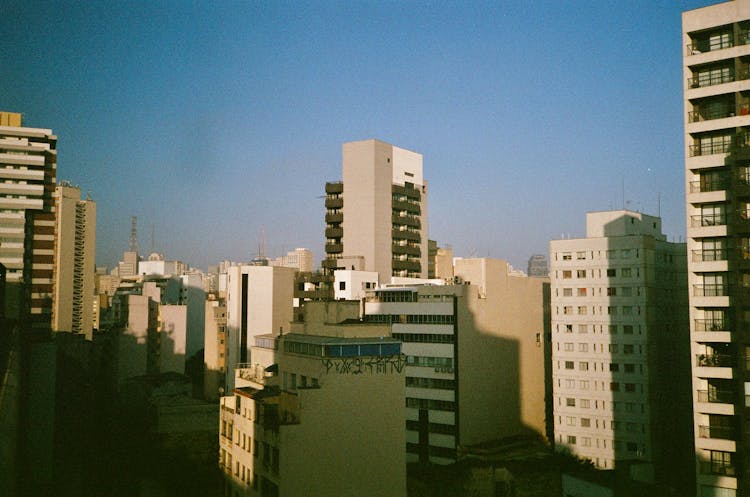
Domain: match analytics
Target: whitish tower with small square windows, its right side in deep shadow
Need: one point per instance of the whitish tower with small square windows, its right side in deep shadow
(620, 346)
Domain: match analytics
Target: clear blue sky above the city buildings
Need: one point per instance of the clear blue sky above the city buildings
(208, 120)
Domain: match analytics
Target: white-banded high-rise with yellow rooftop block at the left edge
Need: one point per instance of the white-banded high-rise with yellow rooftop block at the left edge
(28, 165)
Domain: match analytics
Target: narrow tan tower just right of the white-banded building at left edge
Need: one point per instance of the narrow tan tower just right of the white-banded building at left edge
(75, 262)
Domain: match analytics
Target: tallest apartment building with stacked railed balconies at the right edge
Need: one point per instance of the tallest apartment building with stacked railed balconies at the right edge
(716, 71)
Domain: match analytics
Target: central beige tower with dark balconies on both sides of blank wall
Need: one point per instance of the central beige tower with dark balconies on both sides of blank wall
(378, 212)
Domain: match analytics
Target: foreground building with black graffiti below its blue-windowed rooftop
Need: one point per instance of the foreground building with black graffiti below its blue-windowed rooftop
(319, 411)
